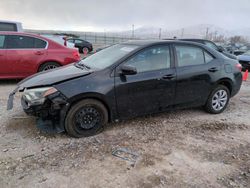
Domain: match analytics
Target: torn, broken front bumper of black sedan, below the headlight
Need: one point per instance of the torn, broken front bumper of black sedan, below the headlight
(50, 114)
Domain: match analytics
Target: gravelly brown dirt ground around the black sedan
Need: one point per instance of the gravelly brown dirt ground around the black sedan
(186, 148)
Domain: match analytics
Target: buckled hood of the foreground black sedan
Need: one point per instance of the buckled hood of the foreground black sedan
(53, 76)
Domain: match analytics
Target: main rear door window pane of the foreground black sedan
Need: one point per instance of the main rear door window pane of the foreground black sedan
(189, 55)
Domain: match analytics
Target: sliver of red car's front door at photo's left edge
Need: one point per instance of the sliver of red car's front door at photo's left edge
(3, 65)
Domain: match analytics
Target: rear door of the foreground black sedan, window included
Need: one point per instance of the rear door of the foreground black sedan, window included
(196, 71)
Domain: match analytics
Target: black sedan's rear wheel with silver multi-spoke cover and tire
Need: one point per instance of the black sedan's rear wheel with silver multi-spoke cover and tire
(218, 100)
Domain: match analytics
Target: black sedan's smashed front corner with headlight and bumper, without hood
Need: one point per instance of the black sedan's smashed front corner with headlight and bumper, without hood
(46, 103)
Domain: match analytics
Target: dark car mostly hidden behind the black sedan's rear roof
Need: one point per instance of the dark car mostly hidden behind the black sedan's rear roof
(212, 45)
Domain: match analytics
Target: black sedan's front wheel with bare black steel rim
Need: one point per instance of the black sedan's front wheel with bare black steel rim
(77, 121)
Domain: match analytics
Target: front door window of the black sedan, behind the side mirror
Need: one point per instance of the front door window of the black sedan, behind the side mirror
(154, 58)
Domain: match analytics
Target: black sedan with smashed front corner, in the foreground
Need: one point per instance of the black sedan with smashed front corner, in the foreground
(129, 80)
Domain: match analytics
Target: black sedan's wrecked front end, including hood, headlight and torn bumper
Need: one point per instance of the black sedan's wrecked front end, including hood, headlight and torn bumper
(41, 98)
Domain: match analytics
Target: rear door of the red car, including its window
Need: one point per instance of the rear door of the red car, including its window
(24, 53)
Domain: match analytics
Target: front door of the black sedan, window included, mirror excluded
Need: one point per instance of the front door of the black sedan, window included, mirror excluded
(152, 89)
